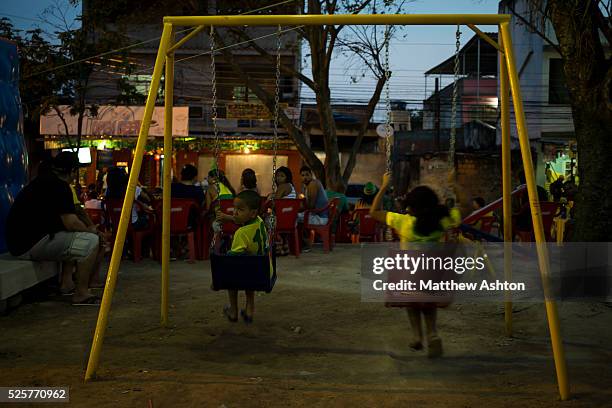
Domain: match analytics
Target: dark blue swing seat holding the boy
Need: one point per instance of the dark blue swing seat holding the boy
(243, 272)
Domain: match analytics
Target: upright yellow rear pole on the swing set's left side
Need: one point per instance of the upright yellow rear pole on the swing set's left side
(168, 102)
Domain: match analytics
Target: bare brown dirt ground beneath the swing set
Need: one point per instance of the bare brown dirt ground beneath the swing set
(313, 343)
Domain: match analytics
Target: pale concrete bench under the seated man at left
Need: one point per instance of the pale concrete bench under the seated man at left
(17, 275)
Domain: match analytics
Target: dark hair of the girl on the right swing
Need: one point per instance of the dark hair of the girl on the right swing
(426, 207)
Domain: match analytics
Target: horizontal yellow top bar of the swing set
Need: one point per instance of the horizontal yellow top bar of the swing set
(339, 19)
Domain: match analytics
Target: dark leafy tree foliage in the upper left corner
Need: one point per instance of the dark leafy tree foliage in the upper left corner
(56, 69)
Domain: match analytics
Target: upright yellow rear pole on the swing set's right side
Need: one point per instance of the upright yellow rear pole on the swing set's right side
(506, 180)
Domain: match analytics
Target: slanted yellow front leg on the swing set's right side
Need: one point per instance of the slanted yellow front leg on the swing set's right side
(536, 216)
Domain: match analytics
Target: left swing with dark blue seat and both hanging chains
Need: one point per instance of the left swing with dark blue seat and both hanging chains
(246, 272)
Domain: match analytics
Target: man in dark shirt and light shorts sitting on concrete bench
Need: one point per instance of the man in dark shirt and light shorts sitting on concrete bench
(42, 225)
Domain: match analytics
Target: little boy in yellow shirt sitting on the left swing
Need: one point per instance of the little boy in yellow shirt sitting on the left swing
(250, 239)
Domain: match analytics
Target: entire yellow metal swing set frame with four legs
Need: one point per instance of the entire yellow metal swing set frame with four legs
(509, 81)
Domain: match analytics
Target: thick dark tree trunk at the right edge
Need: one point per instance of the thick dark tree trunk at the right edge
(588, 76)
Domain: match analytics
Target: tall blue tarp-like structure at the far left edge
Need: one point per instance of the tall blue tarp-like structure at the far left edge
(13, 154)
